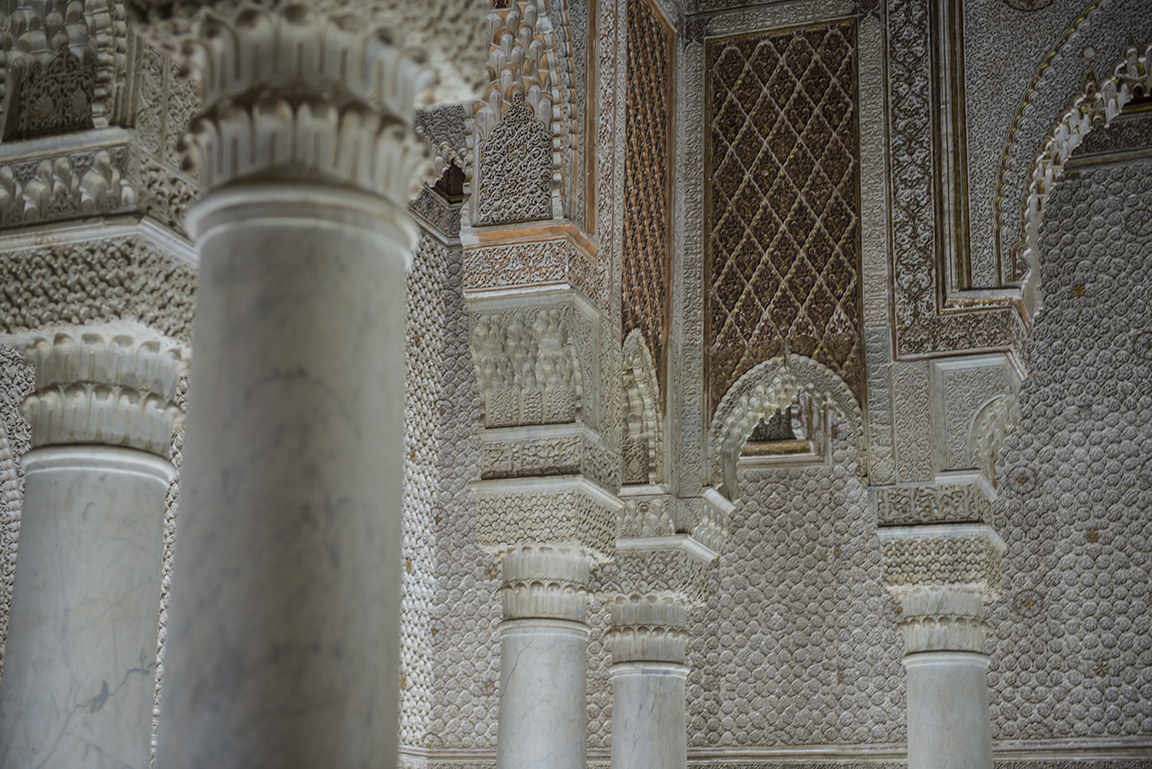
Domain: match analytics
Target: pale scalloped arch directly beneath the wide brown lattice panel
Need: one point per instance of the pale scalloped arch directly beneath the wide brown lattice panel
(770, 386)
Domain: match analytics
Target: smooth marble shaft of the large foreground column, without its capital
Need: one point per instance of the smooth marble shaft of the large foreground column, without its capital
(284, 629)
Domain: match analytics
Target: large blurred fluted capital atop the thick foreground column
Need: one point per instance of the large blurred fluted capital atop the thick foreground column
(322, 93)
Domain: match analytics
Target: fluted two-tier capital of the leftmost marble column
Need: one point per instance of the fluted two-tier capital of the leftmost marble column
(100, 386)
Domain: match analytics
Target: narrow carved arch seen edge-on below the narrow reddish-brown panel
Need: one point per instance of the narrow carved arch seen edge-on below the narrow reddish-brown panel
(642, 447)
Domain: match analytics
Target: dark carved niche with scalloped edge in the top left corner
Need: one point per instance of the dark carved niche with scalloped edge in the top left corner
(63, 66)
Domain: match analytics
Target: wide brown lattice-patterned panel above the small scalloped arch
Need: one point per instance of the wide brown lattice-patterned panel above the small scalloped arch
(783, 203)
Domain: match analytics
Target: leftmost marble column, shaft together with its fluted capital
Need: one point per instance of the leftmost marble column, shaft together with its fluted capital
(80, 667)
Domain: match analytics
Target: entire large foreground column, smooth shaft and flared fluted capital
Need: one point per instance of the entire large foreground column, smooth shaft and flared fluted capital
(284, 626)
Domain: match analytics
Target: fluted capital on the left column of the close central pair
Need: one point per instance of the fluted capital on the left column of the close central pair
(545, 583)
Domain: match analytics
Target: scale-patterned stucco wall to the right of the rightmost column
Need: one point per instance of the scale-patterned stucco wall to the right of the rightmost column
(1073, 650)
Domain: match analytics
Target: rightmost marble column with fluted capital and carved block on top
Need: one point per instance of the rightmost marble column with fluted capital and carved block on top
(943, 576)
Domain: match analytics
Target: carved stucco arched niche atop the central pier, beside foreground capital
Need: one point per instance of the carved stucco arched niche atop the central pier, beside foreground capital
(522, 130)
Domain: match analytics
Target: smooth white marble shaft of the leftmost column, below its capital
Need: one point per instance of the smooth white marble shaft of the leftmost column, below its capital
(80, 669)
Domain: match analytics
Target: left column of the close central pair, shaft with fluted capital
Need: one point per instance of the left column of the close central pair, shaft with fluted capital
(544, 660)
